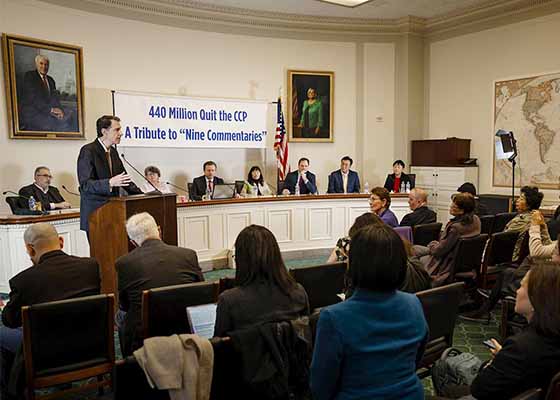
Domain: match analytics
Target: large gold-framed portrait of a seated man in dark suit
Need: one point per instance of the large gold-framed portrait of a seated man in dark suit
(44, 88)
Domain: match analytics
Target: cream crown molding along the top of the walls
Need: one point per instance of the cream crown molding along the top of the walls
(190, 14)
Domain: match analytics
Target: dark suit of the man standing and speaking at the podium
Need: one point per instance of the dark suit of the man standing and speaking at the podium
(94, 175)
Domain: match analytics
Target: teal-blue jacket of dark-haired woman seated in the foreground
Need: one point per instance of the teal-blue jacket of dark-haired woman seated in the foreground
(367, 347)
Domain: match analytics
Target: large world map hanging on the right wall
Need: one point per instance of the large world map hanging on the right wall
(530, 108)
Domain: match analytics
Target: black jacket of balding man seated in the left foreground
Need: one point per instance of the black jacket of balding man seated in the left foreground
(58, 276)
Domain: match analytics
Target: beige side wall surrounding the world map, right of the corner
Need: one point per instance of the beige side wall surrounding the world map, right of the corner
(462, 72)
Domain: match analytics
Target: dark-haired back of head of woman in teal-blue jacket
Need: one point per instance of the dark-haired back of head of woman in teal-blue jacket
(377, 259)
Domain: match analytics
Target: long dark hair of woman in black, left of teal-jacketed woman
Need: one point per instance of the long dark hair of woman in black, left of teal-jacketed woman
(258, 259)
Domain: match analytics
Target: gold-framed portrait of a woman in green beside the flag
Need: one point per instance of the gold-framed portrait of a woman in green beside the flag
(310, 106)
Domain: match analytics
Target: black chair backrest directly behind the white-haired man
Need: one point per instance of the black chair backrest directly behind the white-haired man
(164, 310)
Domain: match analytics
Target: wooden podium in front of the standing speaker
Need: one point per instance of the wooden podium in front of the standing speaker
(107, 230)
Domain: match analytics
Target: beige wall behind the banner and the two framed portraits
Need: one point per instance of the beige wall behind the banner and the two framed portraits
(130, 55)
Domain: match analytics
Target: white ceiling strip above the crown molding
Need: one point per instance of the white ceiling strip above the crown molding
(373, 9)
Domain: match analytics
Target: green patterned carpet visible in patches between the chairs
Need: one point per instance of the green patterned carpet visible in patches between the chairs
(468, 336)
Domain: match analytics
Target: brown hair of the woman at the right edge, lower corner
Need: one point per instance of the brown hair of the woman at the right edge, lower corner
(544, 295)
